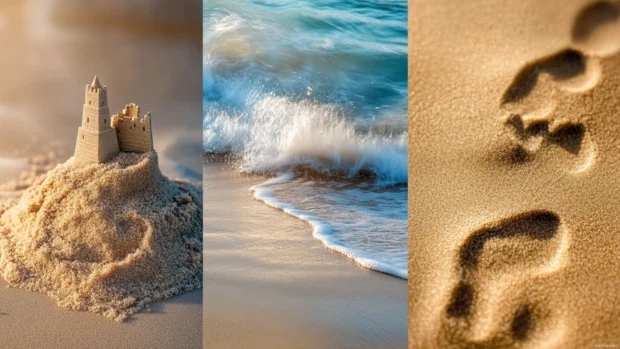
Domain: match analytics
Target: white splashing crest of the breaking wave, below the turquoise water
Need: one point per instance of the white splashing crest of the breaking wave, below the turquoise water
(273, 134)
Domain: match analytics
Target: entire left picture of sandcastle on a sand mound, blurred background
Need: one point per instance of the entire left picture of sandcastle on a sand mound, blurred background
(100, 204)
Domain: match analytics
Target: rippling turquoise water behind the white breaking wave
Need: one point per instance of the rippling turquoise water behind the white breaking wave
(351, 53)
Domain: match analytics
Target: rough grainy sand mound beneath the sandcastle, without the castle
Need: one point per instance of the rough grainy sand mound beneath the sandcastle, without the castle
(107, 238)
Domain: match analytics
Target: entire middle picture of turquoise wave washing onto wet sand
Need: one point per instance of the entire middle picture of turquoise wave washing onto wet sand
(305, 175)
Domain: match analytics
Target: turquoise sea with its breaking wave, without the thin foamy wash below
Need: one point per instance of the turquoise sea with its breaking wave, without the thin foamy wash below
(314, 87)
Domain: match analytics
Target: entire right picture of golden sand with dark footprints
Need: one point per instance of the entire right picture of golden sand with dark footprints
(514, 161)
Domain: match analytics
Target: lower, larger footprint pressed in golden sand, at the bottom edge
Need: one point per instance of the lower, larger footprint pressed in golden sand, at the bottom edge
(500, 259)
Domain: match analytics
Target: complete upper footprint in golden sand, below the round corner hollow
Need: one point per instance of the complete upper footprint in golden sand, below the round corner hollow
(532, 121)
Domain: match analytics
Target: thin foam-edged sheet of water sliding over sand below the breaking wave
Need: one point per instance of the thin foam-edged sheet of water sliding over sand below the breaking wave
(363, 224)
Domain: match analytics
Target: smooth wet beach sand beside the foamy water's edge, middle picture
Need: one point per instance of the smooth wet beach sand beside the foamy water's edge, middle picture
(269, 284)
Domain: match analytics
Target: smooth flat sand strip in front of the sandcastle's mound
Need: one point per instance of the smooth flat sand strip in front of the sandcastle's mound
(32, 320)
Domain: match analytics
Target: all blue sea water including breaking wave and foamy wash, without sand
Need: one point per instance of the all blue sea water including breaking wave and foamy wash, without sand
(315, 93)
